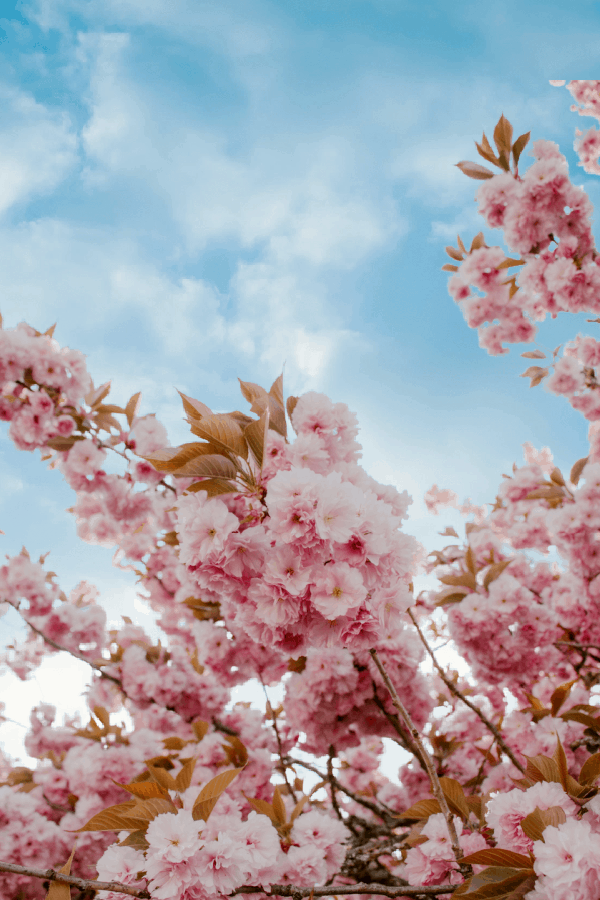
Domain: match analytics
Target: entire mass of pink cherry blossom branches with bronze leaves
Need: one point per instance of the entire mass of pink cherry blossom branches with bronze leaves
(280, 561)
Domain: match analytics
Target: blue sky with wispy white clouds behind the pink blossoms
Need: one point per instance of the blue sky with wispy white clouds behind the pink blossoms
(200, 190)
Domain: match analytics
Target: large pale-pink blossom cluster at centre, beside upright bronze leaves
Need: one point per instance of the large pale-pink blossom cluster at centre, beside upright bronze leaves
(325, 564)
